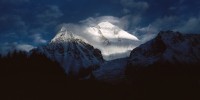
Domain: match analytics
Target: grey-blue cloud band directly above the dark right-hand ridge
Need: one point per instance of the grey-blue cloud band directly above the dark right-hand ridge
(175, 23)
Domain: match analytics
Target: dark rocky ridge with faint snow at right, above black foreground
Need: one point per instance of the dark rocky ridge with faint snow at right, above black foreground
(168, 46)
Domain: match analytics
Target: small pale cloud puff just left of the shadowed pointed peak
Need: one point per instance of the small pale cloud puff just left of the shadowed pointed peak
(37, 38)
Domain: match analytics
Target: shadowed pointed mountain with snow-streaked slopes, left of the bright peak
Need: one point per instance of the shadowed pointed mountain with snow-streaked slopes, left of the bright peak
(74, 55)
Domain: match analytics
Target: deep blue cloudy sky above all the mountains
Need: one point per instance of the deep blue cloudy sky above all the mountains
(25, 24)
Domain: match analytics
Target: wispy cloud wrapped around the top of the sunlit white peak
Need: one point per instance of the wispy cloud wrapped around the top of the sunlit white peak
(126, 22)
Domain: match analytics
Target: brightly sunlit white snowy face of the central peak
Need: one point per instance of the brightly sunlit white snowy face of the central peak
(112, 41)
